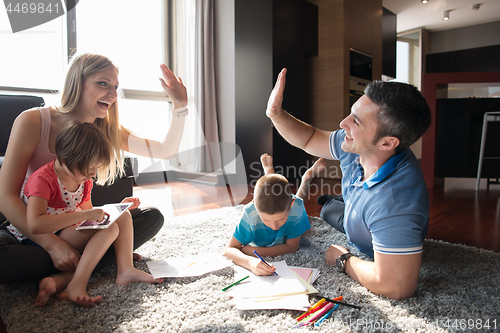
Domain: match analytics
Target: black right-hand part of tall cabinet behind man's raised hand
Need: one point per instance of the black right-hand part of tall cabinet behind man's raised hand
(295, 37)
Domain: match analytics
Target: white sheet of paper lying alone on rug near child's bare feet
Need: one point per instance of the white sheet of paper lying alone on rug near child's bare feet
(195, 265)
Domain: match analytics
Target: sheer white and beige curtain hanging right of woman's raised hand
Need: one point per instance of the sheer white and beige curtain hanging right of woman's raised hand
(199, 150)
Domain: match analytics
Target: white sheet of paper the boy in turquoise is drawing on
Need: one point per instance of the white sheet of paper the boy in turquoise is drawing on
(286, 283)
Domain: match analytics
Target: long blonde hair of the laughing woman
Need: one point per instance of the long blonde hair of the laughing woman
(81, 68)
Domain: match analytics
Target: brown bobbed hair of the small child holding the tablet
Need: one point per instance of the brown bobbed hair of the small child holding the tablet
(80, 146)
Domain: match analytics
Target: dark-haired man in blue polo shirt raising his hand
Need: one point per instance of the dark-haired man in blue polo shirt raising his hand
(384, 208)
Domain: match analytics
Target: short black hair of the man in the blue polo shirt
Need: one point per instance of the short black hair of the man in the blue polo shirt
(404, 112)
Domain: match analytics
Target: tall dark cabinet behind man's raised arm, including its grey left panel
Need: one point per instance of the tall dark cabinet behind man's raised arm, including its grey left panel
(269, 36)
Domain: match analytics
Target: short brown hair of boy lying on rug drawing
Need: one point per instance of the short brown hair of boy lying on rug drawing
(272, 194)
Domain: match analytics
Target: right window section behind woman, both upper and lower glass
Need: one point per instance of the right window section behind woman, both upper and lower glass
(133, 36)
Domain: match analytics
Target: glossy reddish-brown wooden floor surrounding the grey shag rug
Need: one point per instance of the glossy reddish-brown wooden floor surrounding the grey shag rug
(458, 214)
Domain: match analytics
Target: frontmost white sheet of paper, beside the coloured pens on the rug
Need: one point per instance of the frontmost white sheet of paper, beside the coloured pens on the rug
(295, 302)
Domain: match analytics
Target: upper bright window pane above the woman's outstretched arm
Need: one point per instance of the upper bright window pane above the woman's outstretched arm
(129, 33)
